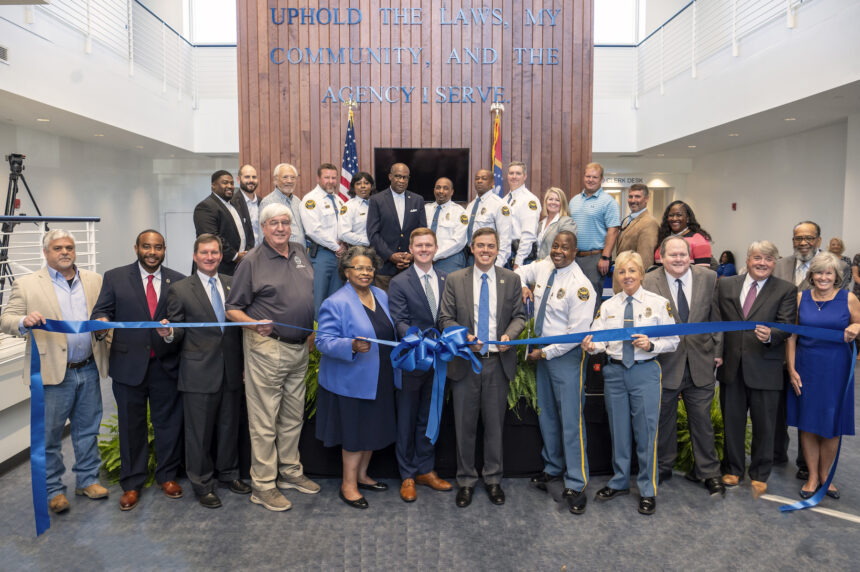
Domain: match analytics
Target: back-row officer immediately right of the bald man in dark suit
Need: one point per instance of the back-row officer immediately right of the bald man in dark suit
(449, 221)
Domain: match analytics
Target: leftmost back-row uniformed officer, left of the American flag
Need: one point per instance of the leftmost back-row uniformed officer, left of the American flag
(320, 211)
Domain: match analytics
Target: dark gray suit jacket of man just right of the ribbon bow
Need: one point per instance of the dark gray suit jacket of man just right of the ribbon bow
(458, 309)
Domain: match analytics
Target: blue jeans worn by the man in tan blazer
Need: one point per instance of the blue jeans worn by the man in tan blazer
(77, 398)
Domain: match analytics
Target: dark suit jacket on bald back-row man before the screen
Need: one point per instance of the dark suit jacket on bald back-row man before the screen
(383, 227)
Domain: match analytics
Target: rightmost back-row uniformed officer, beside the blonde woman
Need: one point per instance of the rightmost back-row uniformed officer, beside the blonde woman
(525, 215)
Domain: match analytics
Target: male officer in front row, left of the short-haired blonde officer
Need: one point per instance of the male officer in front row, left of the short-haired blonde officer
(564, 298)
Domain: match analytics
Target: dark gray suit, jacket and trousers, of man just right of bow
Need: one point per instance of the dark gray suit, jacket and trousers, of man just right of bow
(484, 393)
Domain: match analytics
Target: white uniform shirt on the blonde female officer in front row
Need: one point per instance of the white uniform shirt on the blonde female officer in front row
(649, 309)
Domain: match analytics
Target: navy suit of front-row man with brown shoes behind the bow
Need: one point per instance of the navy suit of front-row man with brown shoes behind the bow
(409, 307)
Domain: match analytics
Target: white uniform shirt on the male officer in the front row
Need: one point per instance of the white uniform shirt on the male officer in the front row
(570, 306)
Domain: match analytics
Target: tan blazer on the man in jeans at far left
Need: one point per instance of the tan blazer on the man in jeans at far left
(35, 293)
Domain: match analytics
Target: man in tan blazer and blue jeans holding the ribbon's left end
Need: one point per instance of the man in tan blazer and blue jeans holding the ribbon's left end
(71, 364)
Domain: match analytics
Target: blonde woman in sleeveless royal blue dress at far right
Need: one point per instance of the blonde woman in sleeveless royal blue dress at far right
(821, 407)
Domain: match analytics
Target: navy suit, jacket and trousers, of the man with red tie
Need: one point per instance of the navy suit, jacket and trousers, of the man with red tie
(138, 378)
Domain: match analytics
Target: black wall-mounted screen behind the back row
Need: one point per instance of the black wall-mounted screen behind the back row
(425, 166)
